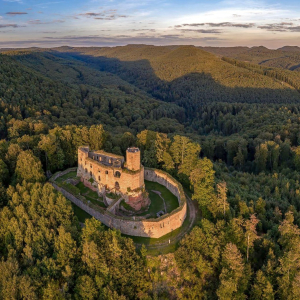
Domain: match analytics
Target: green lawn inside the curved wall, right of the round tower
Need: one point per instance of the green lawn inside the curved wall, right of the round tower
(156, 202)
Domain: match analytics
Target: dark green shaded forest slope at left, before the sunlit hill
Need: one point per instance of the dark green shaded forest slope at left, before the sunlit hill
(56, 92)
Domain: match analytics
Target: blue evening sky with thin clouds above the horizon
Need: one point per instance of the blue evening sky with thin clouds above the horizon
(47, 23)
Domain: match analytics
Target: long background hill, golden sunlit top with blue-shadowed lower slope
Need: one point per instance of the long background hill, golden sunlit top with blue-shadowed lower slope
(186, 75)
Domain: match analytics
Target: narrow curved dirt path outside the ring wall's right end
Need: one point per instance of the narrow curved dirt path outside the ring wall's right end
(192, 212)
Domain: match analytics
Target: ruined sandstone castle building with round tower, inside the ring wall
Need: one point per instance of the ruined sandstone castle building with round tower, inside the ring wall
(105, 172)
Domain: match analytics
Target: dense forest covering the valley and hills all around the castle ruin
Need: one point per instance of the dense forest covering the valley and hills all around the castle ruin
(227, 129)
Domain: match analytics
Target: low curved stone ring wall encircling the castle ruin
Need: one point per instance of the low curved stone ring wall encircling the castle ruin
(154, 228)
